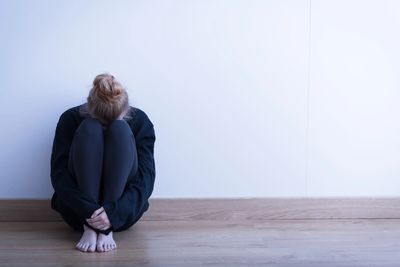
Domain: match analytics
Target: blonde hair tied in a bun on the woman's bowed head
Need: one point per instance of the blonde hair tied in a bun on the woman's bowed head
(107, 99)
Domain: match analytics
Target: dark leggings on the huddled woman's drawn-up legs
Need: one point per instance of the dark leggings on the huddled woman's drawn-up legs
(102, 159)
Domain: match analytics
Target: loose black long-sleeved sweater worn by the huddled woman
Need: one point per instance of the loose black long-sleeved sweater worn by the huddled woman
(134, 200)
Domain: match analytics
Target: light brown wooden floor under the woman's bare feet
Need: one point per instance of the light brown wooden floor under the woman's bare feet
(324, 242)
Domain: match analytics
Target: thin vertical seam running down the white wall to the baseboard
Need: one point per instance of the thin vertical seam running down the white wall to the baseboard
(308, 102)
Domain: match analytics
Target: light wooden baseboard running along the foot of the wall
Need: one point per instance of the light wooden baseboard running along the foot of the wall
(227, 209)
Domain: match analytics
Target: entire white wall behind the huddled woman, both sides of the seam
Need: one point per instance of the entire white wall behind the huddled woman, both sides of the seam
(248, 98)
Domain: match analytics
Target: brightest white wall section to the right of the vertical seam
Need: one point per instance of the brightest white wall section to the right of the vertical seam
(354, 140)
